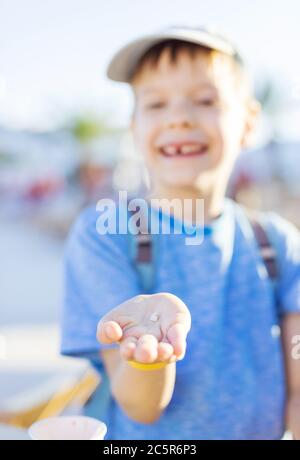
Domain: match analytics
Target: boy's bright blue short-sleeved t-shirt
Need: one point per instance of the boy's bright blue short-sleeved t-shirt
(231, 384)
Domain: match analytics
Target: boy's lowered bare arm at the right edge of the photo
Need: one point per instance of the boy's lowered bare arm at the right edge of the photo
(290, 331)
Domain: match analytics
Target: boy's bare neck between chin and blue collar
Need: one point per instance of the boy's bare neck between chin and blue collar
(213, 202)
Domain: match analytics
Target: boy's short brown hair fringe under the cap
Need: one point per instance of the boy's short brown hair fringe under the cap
(175, 47)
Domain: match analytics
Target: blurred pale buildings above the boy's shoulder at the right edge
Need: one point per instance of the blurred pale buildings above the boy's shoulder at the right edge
(269, 179)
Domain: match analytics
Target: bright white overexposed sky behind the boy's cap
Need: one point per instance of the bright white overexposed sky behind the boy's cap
(53, 54)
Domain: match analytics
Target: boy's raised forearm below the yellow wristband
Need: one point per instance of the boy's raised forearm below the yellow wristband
(143, 395)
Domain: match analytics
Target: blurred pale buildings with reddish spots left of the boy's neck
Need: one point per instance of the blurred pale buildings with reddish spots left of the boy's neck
(47, 178)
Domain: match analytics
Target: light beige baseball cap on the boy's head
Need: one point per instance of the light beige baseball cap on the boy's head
(123, 63)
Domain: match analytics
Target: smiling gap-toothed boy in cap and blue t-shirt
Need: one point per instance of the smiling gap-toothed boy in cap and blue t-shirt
(201, 356)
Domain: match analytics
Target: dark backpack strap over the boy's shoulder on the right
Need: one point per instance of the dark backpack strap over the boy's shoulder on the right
(267, 251)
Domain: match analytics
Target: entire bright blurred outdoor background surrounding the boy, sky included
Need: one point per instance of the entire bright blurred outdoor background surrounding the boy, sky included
(64, 144)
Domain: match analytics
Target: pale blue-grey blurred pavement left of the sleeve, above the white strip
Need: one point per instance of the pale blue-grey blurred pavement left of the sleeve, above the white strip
(30, 274)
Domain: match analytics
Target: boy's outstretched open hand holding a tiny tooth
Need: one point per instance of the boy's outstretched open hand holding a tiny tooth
(149, 328)
